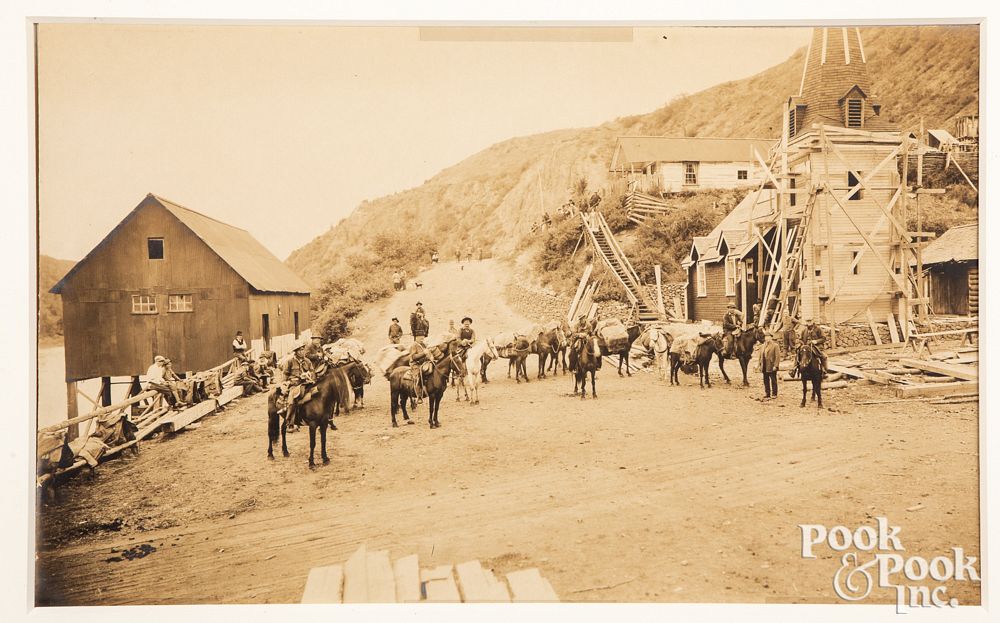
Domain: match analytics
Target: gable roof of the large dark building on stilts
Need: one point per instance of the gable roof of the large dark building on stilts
(236, 247)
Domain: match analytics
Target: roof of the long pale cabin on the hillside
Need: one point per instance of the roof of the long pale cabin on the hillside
(641, 150)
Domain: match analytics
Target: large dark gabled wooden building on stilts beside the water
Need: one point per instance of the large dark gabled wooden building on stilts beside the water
(171, 281)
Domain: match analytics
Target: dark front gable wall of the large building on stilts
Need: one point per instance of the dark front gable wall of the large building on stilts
(102, 335)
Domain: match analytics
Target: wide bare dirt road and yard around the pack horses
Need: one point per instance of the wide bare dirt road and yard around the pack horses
(649, 493)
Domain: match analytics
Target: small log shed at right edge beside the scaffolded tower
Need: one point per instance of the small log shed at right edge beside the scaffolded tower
(952, 266)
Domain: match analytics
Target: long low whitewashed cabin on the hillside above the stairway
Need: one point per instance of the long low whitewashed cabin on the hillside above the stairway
(675, 164)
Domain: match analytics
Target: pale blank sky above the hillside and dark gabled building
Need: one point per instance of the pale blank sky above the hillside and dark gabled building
(284, 130)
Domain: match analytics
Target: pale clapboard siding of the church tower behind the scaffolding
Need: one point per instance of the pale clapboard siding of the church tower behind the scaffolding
(872, 287)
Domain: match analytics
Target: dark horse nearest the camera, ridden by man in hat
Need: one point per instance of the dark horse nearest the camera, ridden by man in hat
(317, 412)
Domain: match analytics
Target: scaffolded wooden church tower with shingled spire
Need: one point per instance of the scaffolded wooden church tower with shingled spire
(841, 251)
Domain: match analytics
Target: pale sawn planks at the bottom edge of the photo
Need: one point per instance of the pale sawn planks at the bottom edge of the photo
(369, 577)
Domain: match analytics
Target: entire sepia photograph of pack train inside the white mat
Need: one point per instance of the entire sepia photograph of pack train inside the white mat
(501, 313)
